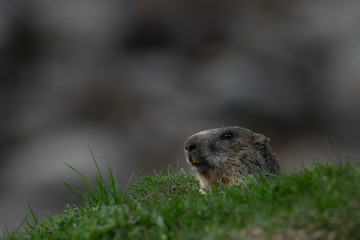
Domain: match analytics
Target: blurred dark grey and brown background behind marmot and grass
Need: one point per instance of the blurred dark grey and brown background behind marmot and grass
(136, 78)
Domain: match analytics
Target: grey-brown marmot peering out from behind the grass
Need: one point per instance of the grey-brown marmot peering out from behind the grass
(224, 154)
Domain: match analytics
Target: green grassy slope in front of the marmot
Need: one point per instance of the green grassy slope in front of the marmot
(320, 202)
